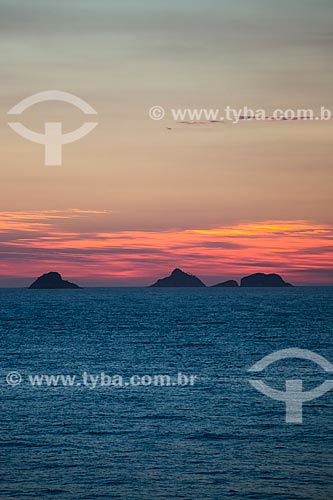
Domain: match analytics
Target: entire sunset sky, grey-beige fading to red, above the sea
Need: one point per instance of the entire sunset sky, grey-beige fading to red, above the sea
(133, 200)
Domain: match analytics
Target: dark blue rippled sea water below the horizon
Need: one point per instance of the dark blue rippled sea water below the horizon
(215, 440)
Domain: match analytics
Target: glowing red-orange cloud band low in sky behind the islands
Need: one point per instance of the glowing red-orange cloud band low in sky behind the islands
(66, 241)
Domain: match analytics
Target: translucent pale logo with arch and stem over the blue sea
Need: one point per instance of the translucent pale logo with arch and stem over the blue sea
(293, 396)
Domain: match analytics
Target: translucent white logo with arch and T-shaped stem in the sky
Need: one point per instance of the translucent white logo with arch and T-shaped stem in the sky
(53, 138)
